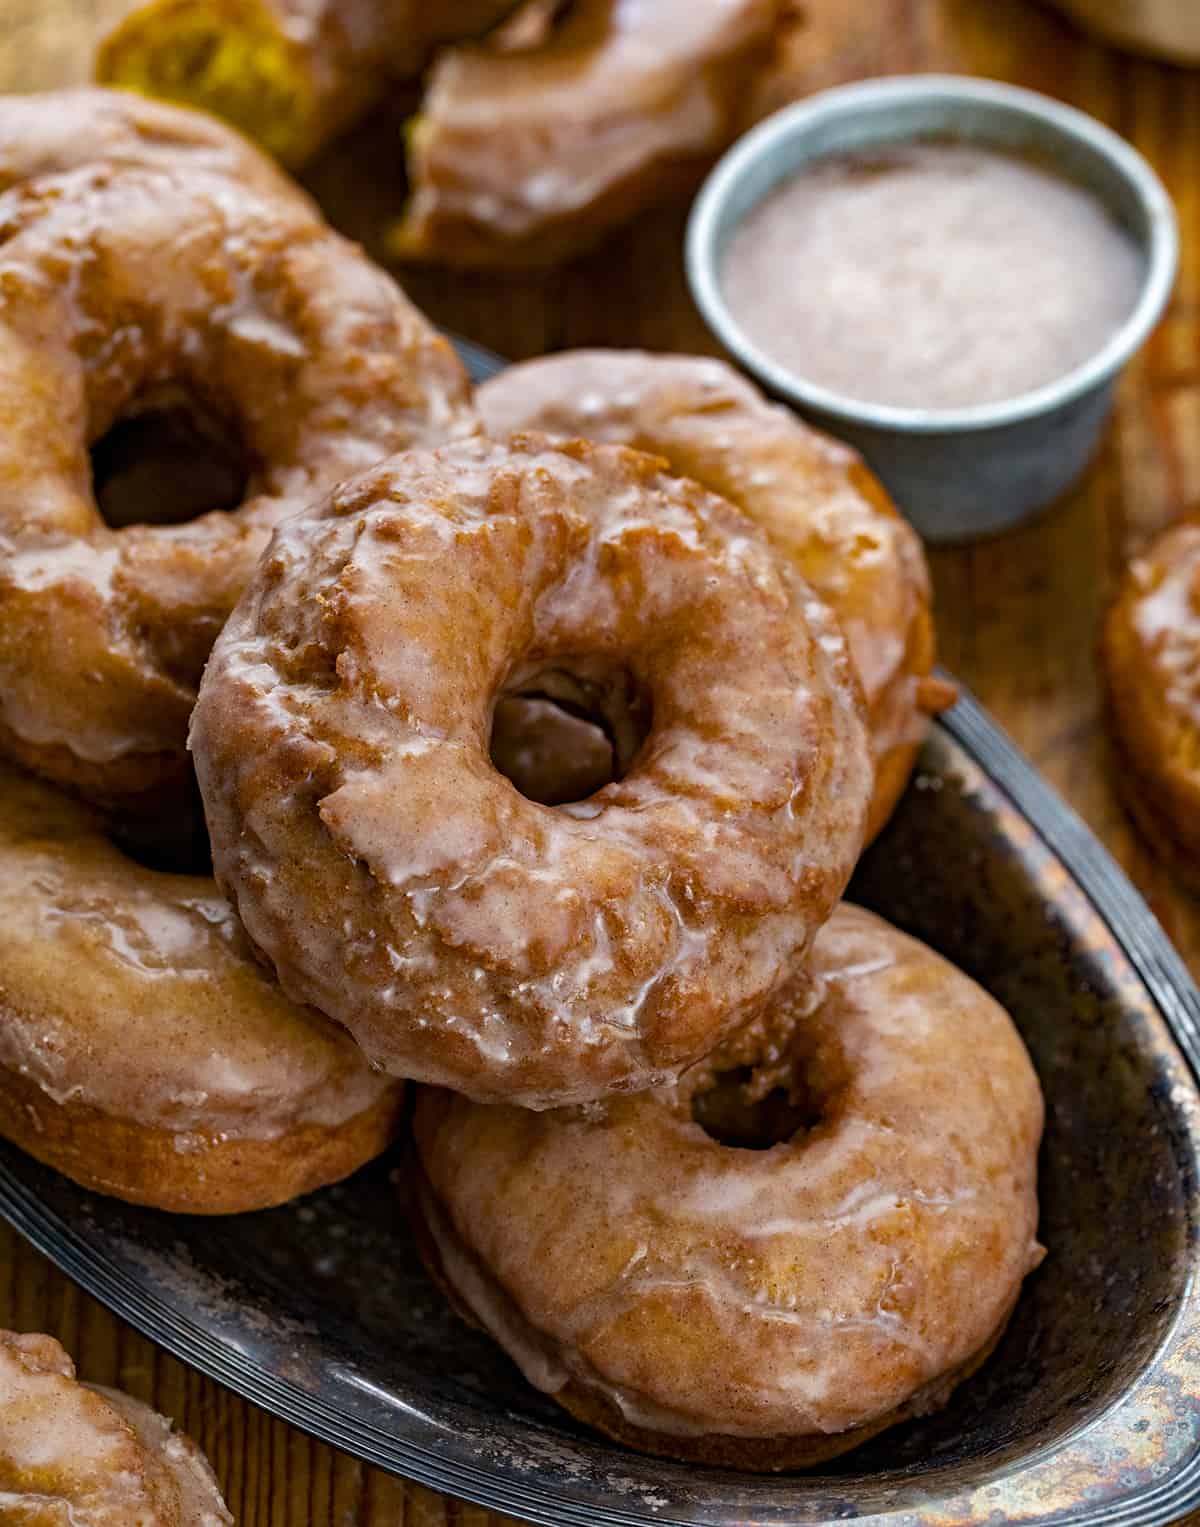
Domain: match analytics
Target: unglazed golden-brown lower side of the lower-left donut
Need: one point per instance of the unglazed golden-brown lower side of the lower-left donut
(146, 1166)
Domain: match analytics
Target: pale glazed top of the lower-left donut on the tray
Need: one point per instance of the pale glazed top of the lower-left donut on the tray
(135, 993)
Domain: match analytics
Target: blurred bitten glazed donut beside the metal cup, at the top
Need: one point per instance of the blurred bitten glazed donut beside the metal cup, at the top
(527, 155)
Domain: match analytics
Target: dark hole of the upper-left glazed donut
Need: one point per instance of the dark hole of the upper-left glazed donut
(167, 460)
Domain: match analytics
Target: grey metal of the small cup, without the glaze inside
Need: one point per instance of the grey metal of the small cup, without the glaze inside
(960, 473)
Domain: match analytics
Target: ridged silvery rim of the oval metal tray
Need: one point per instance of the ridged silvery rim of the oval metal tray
(1115, 900)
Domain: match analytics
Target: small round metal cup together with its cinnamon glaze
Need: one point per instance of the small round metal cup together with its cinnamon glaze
(946, 273)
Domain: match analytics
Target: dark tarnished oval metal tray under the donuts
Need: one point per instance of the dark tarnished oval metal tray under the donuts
(1089, 1412)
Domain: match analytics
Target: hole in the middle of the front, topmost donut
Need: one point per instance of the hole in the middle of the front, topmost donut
(566, 732)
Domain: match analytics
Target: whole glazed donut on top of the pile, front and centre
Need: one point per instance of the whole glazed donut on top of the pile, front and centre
(399, 883)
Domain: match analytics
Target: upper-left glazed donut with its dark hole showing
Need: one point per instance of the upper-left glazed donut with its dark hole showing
(120, 288)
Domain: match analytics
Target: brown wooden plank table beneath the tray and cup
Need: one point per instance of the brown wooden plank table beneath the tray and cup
(1018, 616)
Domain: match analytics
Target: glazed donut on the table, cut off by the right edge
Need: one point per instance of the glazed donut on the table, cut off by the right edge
(1152, 662)
